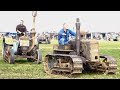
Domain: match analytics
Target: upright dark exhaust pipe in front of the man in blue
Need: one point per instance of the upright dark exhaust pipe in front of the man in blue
(78, 36)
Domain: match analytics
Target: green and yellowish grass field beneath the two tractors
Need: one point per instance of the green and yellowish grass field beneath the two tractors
(27, 70)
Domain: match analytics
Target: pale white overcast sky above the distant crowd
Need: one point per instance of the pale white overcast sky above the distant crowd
(99, 21)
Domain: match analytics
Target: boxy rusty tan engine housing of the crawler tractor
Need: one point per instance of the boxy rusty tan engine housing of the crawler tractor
(89, 50)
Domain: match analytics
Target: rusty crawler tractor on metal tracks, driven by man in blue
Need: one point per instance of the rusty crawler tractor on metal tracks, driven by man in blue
(78, 56)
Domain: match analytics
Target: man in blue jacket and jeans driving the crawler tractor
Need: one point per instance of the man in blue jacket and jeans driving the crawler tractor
(63, 35)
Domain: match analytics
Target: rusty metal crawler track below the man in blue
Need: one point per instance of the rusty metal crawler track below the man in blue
(76, 64)
